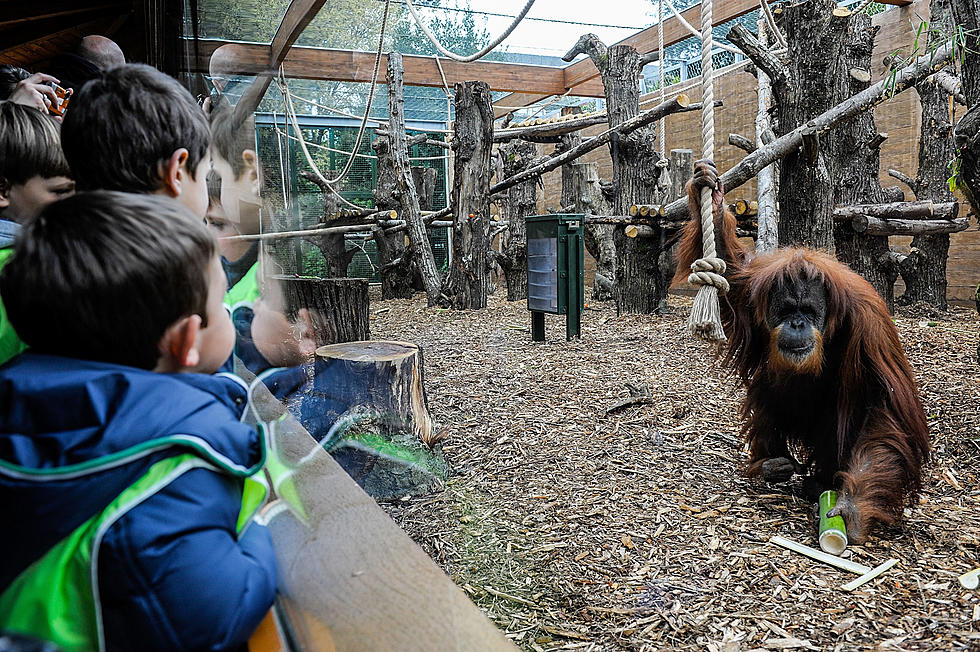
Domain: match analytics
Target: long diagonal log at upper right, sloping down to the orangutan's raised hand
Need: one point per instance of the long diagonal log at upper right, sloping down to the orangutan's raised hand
(847, 110)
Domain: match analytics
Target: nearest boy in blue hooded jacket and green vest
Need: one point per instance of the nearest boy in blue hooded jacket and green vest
(129, 480)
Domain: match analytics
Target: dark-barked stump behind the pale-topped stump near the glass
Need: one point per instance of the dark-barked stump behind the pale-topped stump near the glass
(339, 307)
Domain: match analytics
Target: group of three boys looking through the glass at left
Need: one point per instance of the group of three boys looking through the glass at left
(127, 475)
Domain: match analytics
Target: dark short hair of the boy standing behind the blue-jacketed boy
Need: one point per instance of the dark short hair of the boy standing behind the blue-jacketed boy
(123, 124)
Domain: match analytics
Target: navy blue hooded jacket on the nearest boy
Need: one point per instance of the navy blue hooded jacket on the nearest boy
(173, 573)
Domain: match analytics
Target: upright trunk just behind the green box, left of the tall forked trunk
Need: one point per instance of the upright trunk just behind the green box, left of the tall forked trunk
(580, 193)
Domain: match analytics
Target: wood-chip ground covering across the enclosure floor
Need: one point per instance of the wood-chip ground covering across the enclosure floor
(574, 529)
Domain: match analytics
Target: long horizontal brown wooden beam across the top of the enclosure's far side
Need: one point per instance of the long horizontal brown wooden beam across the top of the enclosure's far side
(356, 66)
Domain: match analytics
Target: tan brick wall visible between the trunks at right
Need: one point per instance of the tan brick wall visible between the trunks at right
(900, 117)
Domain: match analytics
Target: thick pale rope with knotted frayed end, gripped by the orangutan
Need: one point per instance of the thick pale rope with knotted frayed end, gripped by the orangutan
(705, 319)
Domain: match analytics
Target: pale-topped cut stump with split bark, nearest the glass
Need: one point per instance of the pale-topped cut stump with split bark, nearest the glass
(387, 377)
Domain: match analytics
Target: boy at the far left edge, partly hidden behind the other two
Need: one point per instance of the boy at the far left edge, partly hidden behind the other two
(33, 173)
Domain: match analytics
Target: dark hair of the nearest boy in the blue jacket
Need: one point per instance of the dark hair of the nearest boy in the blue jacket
(103, 274)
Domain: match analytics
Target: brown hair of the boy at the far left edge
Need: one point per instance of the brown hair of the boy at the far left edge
(29, 145)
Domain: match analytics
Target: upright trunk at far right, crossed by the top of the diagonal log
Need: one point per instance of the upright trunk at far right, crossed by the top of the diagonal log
(924, 269)
